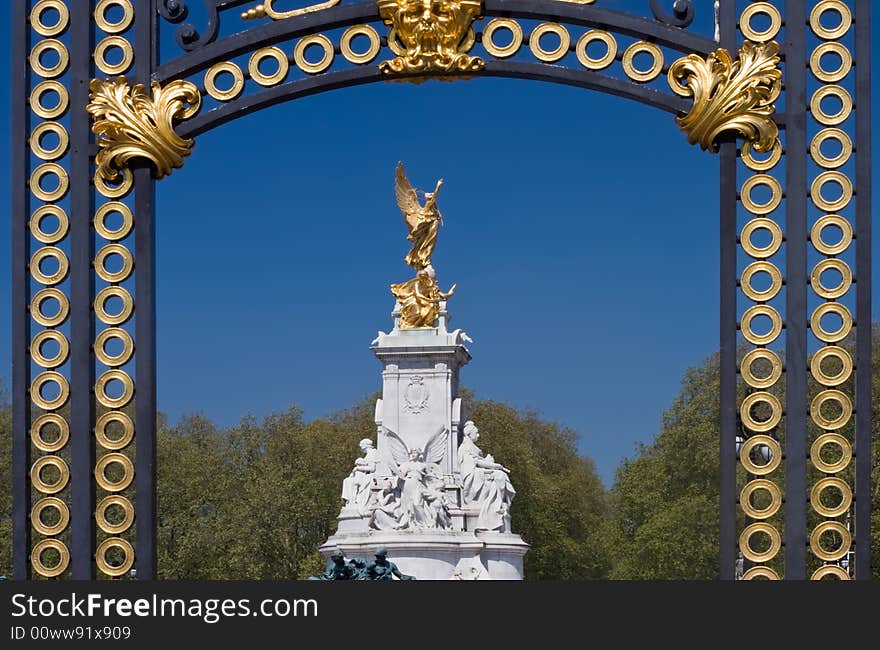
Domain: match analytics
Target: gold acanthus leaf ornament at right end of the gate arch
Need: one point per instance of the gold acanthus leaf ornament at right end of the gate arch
(730, 95)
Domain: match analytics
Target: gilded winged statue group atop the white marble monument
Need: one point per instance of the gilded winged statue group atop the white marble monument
(420, 297)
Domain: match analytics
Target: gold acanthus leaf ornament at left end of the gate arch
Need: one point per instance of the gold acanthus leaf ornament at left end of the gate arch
(129, 123)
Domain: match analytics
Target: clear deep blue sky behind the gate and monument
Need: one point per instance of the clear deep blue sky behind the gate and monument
(582, 231)
